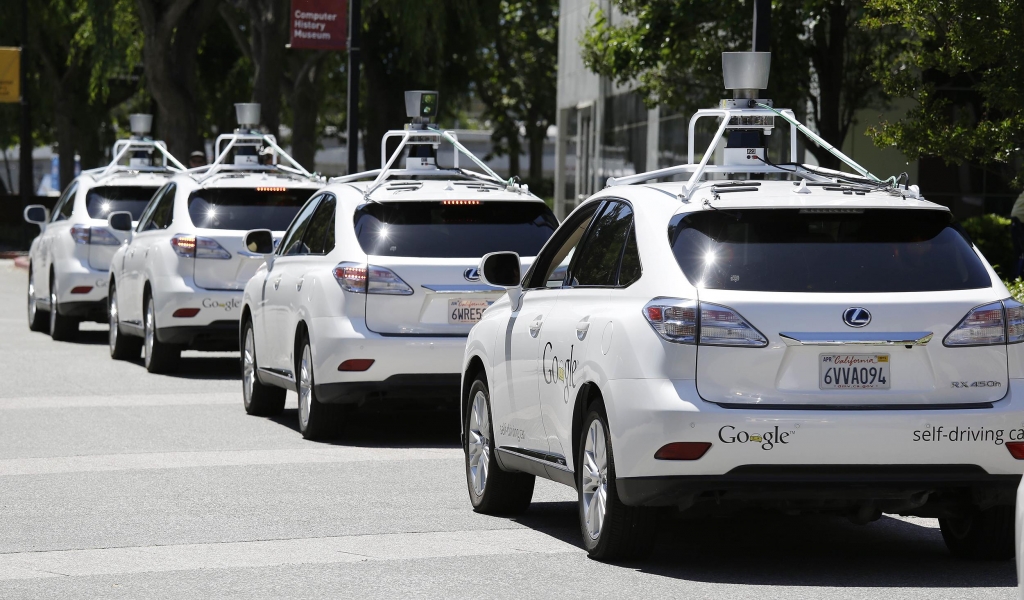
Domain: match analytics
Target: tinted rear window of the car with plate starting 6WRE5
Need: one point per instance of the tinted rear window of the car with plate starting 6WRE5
(447, 230)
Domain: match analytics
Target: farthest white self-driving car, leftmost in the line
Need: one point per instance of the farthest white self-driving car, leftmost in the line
(70, 260)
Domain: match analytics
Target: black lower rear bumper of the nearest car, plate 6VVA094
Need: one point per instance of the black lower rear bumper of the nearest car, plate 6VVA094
(908, 489)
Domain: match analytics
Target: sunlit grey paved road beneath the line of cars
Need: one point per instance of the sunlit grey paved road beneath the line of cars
(119, 484)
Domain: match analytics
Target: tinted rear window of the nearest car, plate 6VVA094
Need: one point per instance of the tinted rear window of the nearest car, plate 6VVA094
(826, 250)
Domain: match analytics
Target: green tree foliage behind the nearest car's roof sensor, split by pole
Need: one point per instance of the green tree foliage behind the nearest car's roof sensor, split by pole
(822, 56)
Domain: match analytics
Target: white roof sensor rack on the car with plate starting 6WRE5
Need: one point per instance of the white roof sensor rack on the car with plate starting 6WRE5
(422, 140)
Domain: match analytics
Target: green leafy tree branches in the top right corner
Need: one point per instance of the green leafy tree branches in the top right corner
(961, 63)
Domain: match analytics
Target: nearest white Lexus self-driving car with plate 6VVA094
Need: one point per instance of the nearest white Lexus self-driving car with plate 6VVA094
(833, 344)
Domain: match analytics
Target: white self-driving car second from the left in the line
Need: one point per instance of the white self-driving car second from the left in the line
(178, 284)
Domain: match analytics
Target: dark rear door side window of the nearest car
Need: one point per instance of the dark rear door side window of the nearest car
(598, 264)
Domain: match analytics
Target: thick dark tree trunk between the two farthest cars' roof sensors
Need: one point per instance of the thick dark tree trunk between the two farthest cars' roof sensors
(174, 31)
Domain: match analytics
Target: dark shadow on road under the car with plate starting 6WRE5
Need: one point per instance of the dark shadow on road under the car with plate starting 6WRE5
(404, 427)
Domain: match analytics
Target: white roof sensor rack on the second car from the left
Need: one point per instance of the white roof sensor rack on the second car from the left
(246, 147)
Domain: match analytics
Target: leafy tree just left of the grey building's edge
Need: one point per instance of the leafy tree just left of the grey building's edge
(516, 79)
